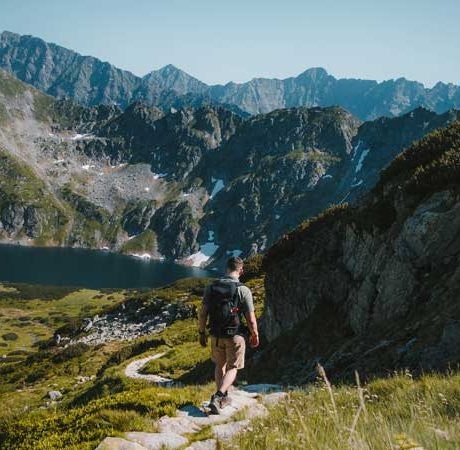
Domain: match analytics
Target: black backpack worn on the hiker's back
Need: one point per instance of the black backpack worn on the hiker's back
(223, 308)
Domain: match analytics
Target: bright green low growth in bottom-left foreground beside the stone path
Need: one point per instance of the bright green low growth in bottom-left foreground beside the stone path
(84, 427)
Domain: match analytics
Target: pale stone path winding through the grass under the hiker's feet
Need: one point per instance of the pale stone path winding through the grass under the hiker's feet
(177, 432)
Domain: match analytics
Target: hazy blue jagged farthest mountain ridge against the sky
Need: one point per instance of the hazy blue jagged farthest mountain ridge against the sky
(63, 73)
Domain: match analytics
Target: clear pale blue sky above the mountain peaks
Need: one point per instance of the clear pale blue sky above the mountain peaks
(219, 41)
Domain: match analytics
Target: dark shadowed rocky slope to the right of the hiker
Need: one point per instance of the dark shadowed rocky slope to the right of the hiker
(374, 286)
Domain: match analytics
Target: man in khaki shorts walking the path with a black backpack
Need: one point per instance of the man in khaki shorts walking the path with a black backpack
(225, 301)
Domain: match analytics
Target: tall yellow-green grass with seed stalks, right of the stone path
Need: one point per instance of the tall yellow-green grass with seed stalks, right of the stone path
(398, 413)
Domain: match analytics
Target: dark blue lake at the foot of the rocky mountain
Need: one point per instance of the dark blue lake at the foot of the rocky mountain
(87, 268)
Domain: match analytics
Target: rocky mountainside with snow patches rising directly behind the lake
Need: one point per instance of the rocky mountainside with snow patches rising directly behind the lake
(195, 184)
